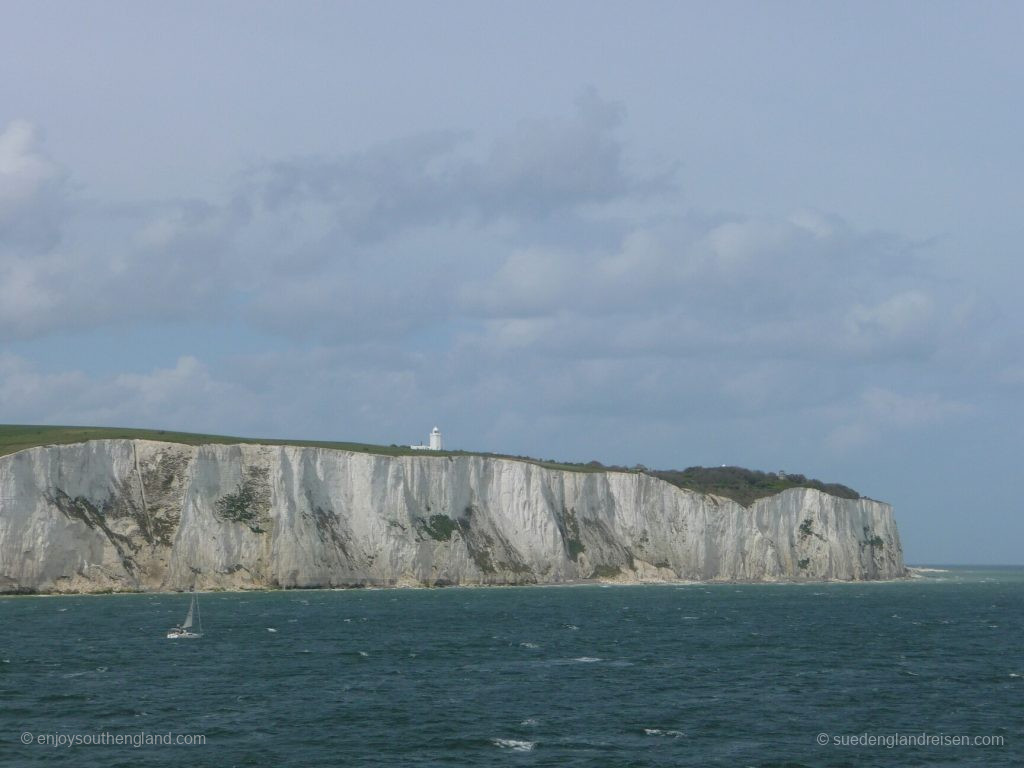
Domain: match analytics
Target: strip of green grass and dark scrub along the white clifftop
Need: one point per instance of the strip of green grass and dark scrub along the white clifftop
(743, 486)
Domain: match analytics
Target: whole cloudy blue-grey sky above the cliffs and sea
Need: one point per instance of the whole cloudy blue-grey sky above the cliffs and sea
(774, 235)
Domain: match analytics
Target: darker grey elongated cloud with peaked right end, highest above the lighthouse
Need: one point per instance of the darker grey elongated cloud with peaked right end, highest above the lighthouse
(543, 169)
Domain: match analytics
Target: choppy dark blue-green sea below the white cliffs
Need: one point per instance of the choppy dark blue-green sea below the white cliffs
(698, 675)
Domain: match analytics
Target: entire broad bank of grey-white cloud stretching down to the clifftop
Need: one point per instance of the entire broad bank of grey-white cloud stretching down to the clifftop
(535, 279)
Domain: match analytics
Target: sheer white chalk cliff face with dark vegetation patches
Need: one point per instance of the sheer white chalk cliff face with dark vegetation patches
(136, 515)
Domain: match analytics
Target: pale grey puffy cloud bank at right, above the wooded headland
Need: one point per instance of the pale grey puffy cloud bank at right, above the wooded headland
(806, 286)
